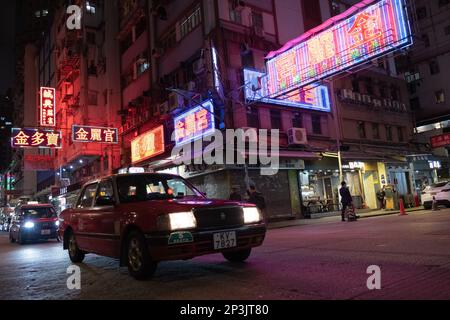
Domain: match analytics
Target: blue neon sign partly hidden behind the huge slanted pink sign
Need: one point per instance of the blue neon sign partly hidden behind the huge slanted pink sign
(312, 97)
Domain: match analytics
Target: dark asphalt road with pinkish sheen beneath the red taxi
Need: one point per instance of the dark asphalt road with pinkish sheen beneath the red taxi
(318, 261)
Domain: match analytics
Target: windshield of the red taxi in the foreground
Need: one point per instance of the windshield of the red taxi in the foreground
(137, 188)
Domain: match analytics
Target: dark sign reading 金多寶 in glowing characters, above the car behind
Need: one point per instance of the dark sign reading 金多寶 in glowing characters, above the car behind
(36, 138)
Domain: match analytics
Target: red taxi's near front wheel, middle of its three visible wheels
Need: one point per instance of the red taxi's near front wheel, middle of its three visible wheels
(140, 264)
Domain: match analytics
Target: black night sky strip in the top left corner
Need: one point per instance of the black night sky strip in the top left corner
(7, 29)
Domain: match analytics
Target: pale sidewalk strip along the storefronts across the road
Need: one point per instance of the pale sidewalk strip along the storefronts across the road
(335, 217)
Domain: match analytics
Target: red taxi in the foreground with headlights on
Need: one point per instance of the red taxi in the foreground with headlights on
(142, 219)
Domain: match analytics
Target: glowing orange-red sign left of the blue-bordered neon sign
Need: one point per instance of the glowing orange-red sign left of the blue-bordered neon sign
(148, 145)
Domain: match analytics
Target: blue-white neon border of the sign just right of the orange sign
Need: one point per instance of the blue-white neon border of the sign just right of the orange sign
(209, 107)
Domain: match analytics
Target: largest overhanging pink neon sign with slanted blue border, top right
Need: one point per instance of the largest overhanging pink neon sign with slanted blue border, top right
(357, 37)
